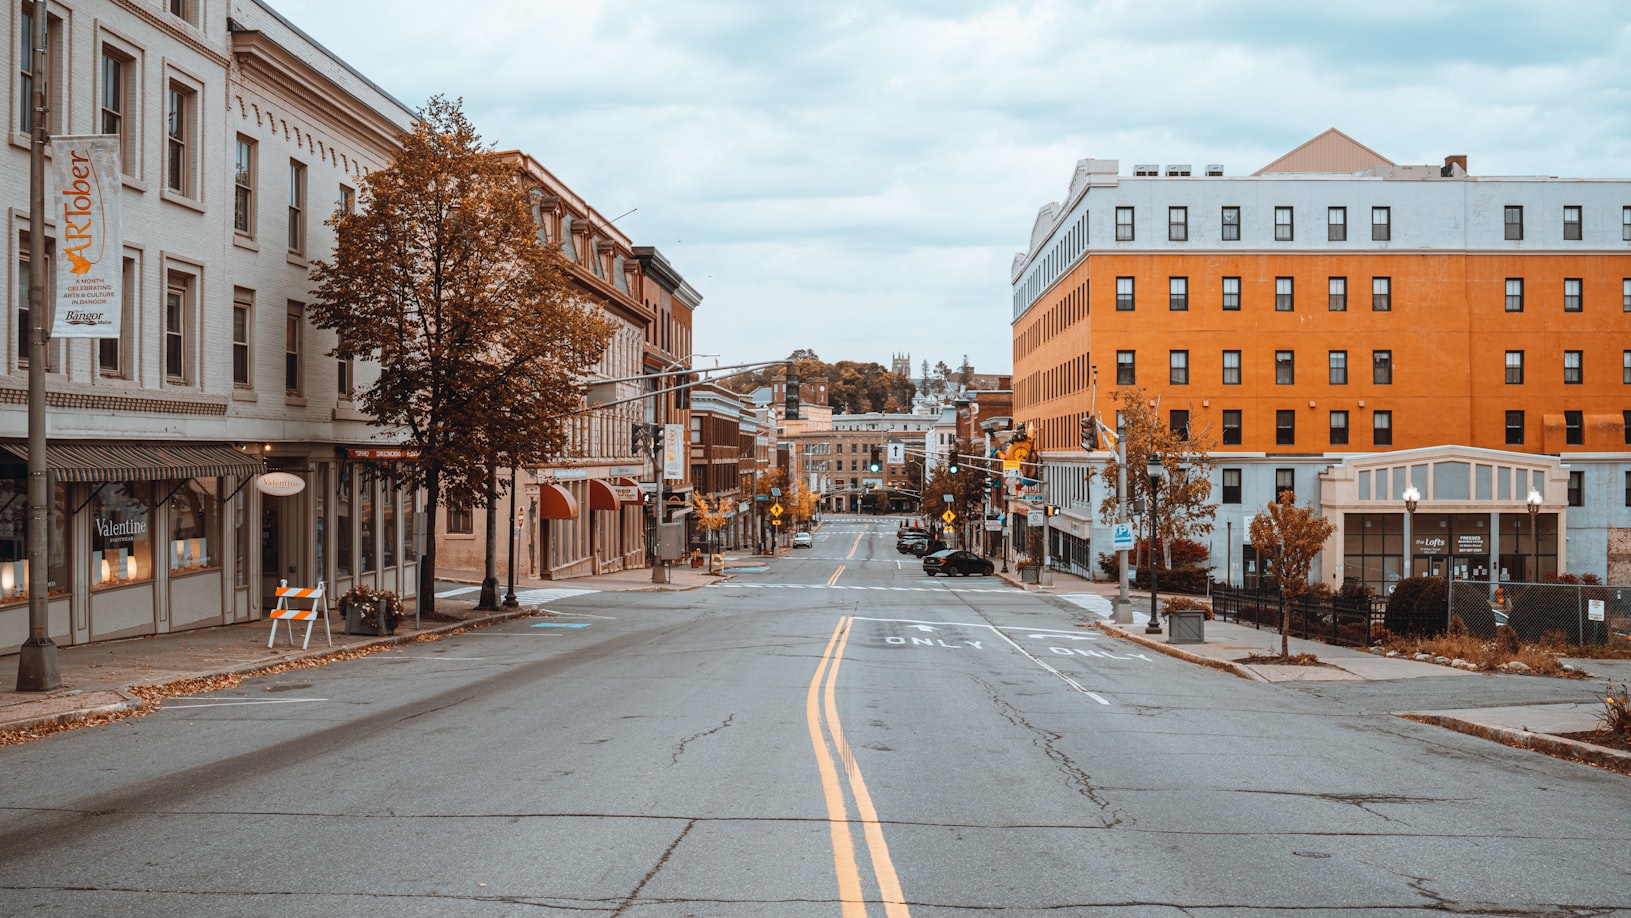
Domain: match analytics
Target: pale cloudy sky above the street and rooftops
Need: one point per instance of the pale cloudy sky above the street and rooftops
(855, 177)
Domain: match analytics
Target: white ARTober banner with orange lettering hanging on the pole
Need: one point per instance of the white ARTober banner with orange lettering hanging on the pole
(91, 245)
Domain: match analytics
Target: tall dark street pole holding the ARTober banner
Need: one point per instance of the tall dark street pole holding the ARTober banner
(37, 666)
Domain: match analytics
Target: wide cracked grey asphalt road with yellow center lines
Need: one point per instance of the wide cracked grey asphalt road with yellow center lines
(831, 735)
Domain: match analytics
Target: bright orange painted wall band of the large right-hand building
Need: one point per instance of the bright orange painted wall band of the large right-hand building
(1448, 332)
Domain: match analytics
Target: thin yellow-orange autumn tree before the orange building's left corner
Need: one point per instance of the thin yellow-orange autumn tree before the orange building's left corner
(1187, 510)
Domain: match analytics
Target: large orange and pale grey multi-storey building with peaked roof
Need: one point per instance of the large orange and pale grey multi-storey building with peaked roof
(1348, 327)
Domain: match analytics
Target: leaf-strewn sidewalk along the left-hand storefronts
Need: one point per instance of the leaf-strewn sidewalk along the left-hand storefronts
(97, 679)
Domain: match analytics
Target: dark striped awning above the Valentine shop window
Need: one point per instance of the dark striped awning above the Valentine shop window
(139, 462)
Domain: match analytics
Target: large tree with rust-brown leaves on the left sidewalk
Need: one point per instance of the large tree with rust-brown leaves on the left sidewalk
(479, 337)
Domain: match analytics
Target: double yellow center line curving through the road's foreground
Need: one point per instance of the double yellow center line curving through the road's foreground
(821, 708)
